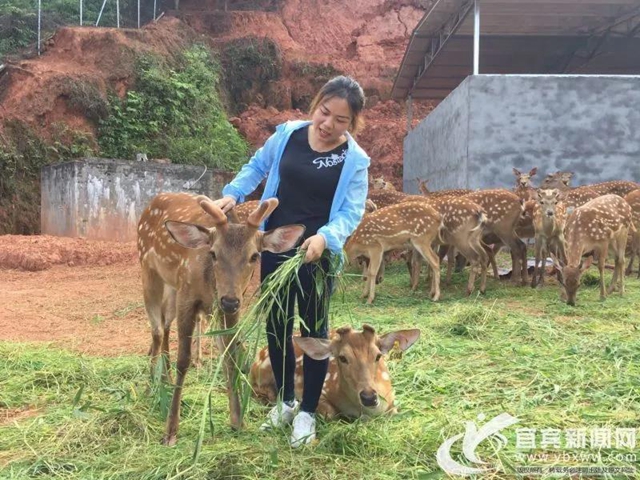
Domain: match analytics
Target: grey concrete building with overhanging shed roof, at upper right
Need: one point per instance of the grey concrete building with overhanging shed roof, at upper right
(520, 83)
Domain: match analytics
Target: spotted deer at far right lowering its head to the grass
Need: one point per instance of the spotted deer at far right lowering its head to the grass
(598, 225)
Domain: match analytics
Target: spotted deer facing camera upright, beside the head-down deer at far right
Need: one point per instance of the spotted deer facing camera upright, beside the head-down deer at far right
(549, 218)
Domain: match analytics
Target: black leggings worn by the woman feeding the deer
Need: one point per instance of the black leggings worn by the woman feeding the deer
(314, 311)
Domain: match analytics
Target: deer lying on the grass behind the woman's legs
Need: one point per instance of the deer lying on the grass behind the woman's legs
(357, 383)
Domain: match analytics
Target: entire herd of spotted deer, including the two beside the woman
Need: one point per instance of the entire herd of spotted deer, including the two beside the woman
(197, 260)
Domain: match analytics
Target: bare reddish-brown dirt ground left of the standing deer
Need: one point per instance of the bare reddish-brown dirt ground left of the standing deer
(91, 308)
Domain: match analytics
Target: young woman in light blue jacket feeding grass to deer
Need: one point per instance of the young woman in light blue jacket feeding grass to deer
(319, 174)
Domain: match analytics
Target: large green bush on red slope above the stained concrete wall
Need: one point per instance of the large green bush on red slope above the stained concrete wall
(174, 111)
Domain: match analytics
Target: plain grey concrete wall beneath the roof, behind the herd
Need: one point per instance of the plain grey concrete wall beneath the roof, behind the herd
(587, 124)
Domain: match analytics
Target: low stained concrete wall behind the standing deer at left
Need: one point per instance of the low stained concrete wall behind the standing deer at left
(103, 199)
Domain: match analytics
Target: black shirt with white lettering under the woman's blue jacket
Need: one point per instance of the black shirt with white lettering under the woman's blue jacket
(308, 181)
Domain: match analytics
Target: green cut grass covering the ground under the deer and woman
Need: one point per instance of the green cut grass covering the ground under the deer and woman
(515, 350)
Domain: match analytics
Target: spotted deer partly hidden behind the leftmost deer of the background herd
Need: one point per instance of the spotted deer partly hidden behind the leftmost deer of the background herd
(462, 231)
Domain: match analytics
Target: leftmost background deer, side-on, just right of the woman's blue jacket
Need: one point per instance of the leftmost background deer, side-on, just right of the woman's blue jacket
(391, 228)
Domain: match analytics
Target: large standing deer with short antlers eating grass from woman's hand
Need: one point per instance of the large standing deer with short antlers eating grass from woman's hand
(189, 251)
